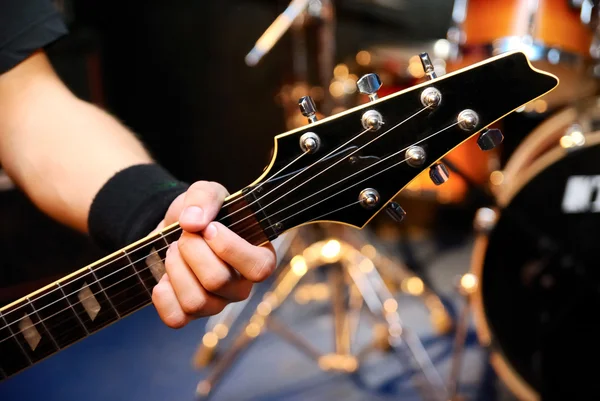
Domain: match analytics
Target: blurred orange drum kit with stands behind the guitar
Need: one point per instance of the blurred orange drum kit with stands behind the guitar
(532, 288)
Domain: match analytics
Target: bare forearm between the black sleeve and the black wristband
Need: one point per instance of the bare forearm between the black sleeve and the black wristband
(59, 149)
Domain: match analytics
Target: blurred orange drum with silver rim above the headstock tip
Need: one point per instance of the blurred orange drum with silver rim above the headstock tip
(557, 36)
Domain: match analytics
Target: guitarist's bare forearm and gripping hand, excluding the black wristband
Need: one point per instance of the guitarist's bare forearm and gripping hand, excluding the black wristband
(62, 152)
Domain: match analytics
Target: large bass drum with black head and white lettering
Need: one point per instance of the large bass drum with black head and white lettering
(536, 260)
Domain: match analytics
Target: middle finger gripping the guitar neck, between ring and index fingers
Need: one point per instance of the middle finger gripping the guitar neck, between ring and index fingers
(213, 273)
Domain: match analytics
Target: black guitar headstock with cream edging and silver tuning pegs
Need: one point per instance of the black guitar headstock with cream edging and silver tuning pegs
(346, 168)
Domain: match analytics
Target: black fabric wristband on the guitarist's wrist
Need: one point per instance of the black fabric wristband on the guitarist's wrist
(131, 204)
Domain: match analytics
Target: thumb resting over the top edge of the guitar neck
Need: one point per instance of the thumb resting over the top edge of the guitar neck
(202, 202)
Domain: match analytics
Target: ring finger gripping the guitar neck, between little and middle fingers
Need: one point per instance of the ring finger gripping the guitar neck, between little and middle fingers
(193, 298)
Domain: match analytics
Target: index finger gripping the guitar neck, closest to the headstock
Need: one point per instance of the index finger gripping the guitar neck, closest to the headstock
(256, 263)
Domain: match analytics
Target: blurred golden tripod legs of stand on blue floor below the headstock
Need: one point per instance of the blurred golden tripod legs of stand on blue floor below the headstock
(348, 270)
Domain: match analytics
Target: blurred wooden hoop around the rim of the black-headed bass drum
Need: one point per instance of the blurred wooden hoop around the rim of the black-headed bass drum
(498, 360)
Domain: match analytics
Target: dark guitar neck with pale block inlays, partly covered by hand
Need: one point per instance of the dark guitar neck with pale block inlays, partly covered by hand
(88, 300)
